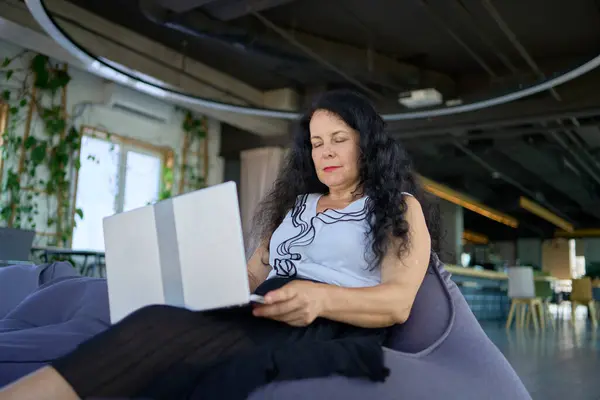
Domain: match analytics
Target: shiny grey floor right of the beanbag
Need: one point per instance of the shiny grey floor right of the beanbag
(554, 365)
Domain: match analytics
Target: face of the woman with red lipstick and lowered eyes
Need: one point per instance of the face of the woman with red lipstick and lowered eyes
(335, 150)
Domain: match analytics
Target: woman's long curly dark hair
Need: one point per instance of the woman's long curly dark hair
(385, 171)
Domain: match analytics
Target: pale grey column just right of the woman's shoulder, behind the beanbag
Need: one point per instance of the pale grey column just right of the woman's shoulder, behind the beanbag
(452, 227)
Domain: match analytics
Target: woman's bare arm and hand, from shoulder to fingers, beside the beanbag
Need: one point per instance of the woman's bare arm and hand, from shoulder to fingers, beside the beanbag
(389, 303)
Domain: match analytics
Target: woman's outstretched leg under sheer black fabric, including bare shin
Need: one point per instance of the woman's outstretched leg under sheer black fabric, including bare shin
(139, 350)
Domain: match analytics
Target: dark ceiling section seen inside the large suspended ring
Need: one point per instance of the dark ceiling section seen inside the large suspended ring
(457, 38)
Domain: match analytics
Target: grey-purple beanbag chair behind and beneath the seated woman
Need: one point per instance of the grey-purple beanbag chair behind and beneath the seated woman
(441, 352)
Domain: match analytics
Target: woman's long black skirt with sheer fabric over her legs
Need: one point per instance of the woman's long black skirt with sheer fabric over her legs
(164, 352)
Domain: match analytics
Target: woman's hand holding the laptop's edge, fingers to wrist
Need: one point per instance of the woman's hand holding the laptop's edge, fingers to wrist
(298, 303)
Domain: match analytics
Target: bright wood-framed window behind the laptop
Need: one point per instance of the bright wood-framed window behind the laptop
(116, 175)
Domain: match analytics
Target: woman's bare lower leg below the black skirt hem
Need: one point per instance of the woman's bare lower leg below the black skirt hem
(43, 384)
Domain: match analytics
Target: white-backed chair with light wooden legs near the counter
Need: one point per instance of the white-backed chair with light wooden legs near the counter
(521, 291)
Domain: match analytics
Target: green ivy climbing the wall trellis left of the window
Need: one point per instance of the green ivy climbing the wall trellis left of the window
(54, 147)
